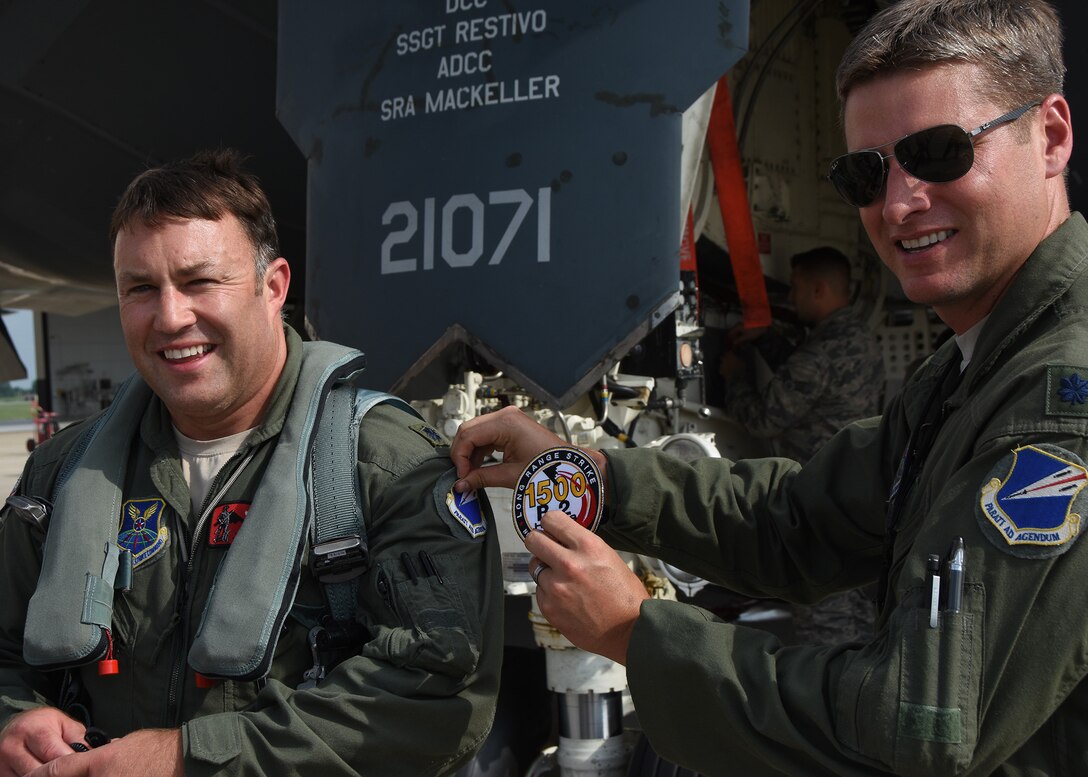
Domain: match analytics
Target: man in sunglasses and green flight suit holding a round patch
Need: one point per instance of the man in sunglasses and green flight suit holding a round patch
(965, 502)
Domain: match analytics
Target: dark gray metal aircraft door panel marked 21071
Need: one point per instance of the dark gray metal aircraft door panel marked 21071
(498, 178)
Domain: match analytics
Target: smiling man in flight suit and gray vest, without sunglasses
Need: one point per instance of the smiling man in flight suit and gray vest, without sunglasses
(227, 632)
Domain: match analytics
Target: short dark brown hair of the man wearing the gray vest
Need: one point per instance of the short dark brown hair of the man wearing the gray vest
(208, 186)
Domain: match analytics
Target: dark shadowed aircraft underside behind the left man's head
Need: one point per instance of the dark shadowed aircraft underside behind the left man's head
(92, 94)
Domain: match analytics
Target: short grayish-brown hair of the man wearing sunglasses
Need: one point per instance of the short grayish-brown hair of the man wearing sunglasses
(1018, 44)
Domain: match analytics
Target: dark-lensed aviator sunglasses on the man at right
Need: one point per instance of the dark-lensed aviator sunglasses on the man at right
(937, 155)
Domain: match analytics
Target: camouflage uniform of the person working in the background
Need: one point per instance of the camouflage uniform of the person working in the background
(833, 379)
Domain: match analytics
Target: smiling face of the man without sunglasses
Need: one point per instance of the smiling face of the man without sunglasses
(203, 329)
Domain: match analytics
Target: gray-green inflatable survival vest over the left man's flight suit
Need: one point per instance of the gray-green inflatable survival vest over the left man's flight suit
(310, 489)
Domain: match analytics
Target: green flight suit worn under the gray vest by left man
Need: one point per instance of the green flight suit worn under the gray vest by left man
(417, 698)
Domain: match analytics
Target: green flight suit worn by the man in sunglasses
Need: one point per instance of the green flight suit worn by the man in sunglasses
(999, 687)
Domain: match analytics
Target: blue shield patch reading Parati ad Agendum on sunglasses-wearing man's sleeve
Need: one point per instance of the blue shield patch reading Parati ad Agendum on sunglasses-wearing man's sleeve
(1033, 502)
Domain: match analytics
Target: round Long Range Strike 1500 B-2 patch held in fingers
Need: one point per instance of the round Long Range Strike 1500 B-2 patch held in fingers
(560, 479)
